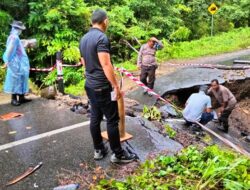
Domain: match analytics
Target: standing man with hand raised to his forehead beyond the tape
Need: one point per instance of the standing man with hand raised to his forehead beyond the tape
(147, 62)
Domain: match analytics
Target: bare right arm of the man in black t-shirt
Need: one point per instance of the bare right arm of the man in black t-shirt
(108, 69)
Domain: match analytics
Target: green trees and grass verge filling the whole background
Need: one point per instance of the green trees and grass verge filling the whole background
(184, 26)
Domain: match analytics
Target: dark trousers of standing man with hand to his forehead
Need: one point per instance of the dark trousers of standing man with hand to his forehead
(147, 76)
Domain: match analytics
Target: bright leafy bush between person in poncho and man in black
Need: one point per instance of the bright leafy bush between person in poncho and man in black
(58, 25)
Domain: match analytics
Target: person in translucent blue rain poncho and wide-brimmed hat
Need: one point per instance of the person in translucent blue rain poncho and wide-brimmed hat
(17, 63)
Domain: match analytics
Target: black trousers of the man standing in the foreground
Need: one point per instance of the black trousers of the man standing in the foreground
(101, 104)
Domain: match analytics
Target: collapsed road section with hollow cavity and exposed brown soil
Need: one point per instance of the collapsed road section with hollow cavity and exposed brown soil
(179, 85)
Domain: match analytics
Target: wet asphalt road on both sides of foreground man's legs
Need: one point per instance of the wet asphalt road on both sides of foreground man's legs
(61, 140)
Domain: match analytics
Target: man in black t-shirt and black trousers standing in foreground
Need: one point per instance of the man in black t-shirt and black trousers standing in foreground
(100, 82)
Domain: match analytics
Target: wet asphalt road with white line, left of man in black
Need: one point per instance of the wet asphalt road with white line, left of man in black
(65, 149)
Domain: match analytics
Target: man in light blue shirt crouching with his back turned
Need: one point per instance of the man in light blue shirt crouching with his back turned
(198, 108)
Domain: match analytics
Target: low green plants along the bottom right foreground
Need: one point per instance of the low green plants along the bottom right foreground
(212, 168)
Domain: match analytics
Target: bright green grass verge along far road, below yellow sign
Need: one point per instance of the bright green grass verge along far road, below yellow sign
(226, 42)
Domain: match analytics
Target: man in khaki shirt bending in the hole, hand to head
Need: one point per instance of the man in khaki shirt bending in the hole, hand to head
(226, 100)
